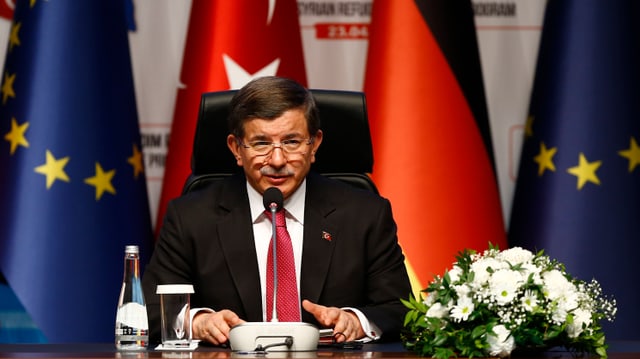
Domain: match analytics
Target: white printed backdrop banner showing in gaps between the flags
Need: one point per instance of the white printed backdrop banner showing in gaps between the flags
(335, 40)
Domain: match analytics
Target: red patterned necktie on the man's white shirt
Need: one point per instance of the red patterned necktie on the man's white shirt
(288, 302)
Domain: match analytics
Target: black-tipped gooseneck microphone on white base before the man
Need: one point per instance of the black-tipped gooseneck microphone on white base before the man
(257, 337)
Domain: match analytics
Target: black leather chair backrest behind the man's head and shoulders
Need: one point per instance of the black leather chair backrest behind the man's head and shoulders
(345, 154)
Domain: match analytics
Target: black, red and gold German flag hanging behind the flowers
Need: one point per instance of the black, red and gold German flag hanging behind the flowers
(431, 137)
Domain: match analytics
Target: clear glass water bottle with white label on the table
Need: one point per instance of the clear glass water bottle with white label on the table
(132, 324)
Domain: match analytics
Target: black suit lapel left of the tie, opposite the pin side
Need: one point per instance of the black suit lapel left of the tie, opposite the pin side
(235, 232)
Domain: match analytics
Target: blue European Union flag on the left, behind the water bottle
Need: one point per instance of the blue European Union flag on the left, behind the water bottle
(72, 183)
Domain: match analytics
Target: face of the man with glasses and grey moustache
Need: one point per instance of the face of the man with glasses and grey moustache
(282, 166)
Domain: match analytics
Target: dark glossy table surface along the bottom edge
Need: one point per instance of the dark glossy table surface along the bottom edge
(617, 350)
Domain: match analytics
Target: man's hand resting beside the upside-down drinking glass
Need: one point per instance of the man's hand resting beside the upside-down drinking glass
(214, 327)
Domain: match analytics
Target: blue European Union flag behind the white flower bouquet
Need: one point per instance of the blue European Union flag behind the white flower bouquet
(578, 190)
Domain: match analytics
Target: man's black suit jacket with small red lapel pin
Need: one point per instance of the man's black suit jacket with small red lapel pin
(207, 240)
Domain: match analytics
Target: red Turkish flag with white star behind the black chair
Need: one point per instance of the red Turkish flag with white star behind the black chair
(228, 44)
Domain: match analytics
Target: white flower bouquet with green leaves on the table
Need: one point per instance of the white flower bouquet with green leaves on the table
(492, 303)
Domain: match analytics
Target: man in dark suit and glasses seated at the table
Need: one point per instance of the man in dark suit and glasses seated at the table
(347, 258)
